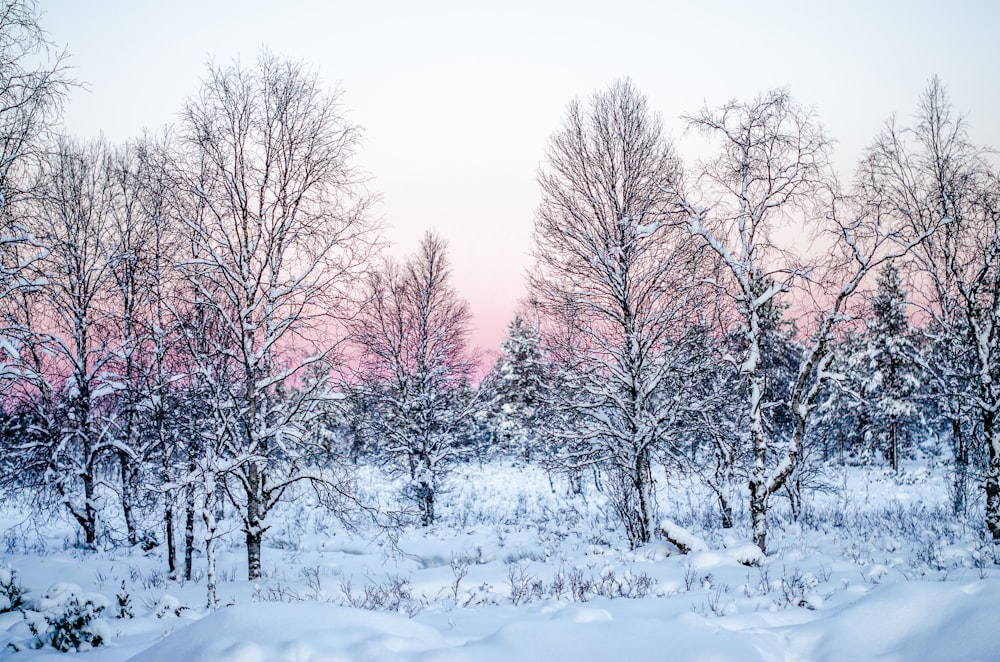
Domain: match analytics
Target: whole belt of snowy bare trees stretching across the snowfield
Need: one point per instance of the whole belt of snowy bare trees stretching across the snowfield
(201, 331)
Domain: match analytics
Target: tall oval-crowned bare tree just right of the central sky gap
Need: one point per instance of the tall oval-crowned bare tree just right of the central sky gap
(609, 285)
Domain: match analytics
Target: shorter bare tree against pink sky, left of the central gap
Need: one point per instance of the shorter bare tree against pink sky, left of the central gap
(415, 366)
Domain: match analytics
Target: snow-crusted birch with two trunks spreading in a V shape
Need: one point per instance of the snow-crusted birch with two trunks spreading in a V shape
(772, 165)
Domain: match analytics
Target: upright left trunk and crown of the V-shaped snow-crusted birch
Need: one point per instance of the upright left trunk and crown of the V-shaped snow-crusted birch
(772, 159)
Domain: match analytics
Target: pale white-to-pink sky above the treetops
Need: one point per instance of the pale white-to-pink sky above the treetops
(457, 99)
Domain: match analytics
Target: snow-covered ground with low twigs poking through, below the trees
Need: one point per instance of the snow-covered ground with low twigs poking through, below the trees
(517, 569)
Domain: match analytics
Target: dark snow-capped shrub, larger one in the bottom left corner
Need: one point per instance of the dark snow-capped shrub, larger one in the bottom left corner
(66, 618)
